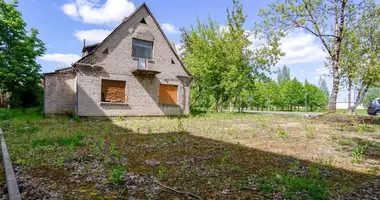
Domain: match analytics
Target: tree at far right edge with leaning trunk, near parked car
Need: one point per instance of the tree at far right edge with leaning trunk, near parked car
(360, 58)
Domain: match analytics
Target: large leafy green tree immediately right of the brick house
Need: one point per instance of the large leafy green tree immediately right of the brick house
(219, 58)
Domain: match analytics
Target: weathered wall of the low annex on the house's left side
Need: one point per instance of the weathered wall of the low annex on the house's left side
(59, 95)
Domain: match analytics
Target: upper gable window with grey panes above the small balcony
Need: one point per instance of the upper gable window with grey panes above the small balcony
(142, 49)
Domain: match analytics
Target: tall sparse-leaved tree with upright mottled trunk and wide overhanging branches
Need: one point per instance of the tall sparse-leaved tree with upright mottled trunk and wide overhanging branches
(326, 20)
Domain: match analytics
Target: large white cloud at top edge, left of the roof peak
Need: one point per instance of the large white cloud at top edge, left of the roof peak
(91, 12)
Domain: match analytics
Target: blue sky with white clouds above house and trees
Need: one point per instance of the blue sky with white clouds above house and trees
(63, 24)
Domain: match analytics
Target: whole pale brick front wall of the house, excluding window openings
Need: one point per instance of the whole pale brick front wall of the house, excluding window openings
(142, 91)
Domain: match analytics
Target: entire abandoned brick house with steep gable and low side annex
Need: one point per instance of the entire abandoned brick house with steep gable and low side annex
(135, 71)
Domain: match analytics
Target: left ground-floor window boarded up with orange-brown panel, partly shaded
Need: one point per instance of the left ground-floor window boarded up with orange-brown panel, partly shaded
(113, 91)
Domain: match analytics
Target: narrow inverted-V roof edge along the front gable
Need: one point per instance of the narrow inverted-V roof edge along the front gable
(126, 19)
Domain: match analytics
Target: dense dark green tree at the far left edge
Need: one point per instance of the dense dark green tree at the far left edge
(19, 71)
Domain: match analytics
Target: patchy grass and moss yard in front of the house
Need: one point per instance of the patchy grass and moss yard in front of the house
(213, 156)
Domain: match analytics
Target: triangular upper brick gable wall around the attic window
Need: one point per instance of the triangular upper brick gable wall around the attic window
(119, 59)
